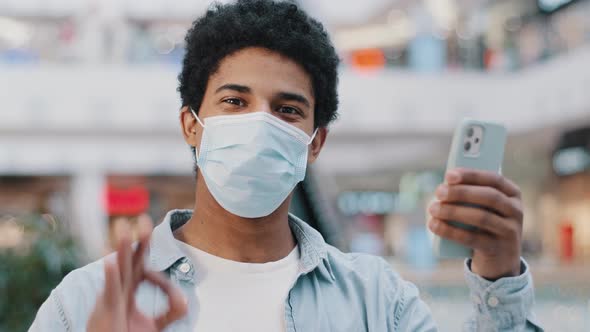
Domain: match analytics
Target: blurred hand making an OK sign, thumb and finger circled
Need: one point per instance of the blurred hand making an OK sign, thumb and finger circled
(115, 308)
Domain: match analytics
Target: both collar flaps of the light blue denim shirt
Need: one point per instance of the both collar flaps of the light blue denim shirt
(164, 252)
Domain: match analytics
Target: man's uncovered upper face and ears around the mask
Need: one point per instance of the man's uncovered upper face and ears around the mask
(258, 80)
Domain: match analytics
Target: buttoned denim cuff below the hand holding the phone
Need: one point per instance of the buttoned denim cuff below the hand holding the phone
(503, 305)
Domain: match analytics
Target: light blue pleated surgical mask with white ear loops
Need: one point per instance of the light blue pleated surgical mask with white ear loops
(251, 162)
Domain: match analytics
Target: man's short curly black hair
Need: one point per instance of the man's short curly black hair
(279, 26)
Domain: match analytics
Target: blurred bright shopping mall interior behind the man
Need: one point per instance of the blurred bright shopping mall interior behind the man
(89, 134)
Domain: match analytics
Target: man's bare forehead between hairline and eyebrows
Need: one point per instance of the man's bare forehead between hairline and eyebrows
(262, 70)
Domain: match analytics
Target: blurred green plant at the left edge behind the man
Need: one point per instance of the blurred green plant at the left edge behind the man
(35, 255)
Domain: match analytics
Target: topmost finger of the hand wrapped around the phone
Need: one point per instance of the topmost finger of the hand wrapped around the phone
(482, 178)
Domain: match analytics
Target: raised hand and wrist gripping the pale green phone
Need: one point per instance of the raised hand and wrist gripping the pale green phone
(495, 209)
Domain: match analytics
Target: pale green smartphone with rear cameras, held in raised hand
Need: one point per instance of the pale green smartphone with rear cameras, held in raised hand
(476, 145)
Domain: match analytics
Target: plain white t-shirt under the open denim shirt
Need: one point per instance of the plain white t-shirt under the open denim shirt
(234, 296)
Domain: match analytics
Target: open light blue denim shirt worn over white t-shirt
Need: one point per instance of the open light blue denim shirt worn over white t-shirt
(334, 291)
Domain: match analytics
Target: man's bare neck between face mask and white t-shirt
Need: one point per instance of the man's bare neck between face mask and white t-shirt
(223, 234)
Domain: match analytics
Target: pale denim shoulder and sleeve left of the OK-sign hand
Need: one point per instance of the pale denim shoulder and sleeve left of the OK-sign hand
(71, 302)
